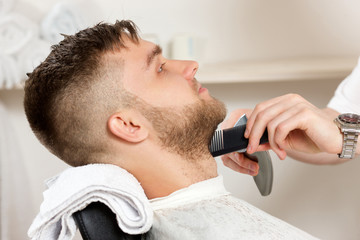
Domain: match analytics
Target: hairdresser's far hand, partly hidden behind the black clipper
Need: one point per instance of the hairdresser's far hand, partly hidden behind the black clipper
(238, 161)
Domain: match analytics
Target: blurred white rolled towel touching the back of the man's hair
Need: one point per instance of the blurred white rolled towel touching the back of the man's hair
(32, 55)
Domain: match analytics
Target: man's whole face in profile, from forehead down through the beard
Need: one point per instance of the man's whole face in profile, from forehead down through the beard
(183, 114)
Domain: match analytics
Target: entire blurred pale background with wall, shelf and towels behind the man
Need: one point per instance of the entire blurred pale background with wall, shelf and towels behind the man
(248, 51)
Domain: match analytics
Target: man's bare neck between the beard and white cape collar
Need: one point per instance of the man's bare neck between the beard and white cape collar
(161, 173)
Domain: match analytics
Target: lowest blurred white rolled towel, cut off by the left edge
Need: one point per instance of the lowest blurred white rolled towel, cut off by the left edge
(9, 72)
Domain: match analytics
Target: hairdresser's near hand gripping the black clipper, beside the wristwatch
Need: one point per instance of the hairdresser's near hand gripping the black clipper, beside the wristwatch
(293, 124)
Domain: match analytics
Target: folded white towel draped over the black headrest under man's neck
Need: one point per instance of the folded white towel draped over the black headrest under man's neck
(77, 187)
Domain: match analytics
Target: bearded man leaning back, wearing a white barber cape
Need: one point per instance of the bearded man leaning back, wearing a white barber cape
(105, 95)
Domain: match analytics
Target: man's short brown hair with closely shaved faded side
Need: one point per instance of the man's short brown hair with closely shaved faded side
(70, 91)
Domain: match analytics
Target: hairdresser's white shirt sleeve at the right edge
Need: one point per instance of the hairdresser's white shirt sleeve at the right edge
(347, 95)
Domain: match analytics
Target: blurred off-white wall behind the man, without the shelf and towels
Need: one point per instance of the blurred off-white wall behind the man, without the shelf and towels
(321, 200)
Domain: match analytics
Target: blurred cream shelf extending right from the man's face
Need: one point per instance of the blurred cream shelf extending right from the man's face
(277, 70)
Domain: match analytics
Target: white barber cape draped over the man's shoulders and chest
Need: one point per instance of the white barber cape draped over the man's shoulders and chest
(205, 210)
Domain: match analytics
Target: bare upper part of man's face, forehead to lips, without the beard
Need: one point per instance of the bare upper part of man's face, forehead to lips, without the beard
(159, 81)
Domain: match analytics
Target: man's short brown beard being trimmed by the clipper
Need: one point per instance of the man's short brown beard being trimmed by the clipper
(186, 131)
